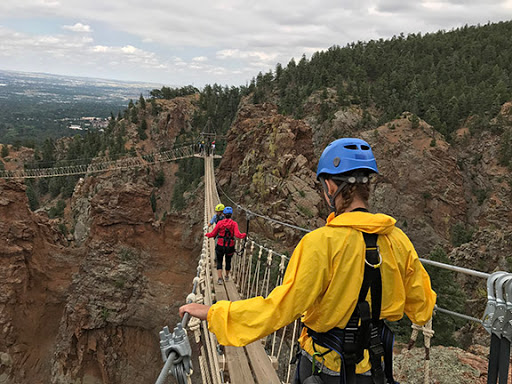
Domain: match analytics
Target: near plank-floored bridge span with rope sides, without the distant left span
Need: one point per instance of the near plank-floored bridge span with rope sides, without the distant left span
(256, 271)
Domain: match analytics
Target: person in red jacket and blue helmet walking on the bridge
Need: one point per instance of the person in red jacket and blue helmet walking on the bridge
(225, 230)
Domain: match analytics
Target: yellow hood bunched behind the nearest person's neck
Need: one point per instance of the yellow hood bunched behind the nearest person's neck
(363, 221)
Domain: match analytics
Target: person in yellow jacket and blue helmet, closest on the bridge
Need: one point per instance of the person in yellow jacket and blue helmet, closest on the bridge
(324, 279)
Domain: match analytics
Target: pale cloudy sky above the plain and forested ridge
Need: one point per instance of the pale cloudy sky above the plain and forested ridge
(198, 42)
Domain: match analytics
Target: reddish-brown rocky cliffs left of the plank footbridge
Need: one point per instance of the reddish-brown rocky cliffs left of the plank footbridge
(87, 307)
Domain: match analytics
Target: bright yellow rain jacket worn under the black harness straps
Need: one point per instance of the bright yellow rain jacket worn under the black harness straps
(322, 283)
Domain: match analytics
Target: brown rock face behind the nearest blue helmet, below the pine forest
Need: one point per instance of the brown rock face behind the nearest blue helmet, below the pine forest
(429, 185)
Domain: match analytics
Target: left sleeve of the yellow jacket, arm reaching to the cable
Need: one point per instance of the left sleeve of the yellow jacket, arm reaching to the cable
(241, 322)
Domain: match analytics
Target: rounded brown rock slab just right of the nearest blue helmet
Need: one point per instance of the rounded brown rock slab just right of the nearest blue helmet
(420, 184)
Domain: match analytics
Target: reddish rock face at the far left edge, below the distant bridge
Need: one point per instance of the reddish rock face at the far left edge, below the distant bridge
(35, 272)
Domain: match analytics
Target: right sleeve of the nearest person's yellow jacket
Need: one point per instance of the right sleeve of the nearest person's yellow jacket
(420, 298)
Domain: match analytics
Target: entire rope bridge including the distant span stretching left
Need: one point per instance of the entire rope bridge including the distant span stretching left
(256, 271)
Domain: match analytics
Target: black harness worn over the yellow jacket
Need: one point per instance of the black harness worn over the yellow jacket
(365, 329)
